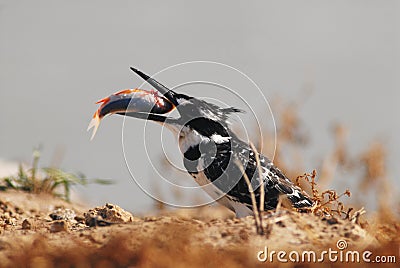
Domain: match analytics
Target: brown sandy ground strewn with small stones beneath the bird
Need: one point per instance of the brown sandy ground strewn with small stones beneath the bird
(44, 231)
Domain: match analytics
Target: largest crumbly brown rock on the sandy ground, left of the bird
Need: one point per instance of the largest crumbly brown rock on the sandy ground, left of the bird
(106, 215)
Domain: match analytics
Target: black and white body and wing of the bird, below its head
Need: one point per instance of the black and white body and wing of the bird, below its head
(213, 164)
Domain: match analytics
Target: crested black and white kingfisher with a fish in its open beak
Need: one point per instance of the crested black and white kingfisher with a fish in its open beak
(212, 153)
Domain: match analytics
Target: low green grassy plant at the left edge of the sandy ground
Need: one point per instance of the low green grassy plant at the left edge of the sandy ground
(46, 180)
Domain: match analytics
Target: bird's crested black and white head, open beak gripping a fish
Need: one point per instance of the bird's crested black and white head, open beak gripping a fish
(206, 118)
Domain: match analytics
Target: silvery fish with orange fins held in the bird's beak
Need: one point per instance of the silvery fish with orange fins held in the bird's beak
(132, 102)
